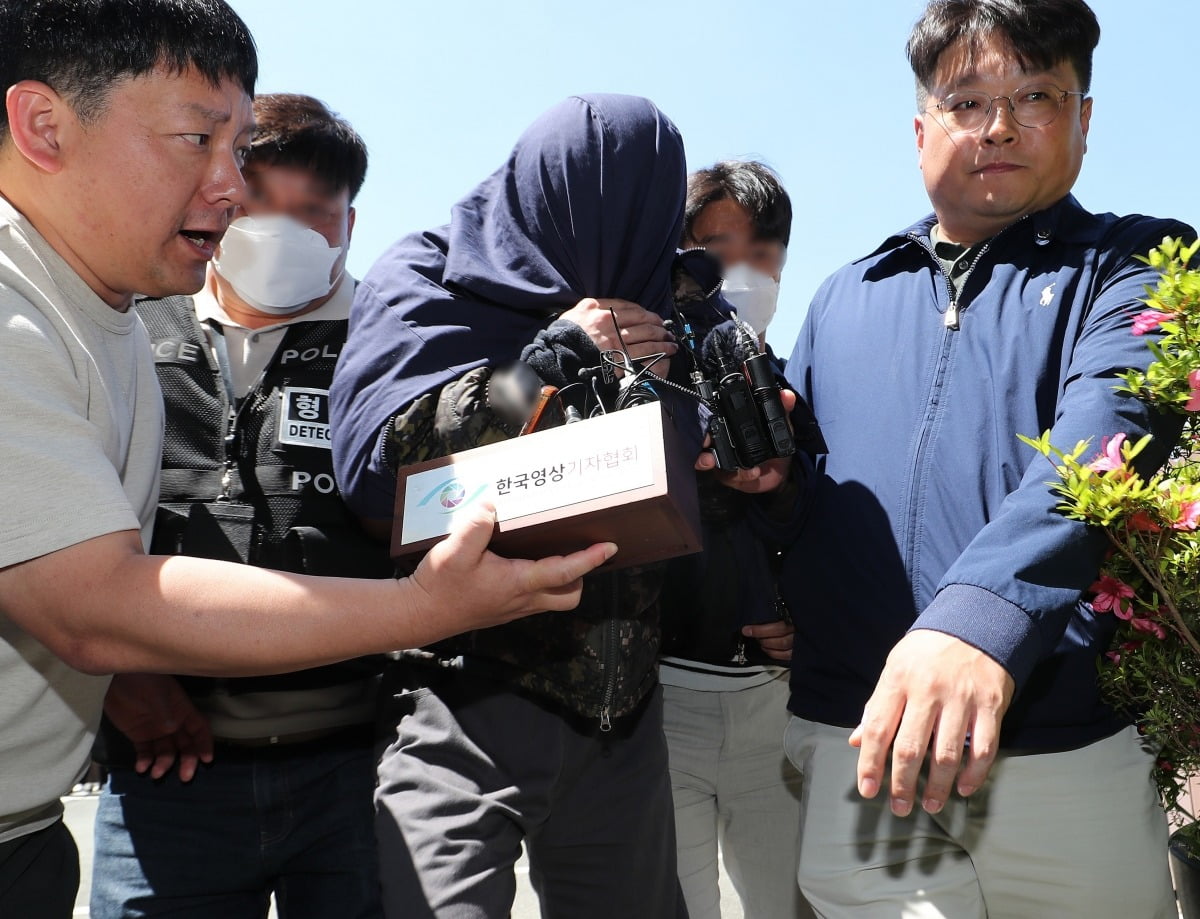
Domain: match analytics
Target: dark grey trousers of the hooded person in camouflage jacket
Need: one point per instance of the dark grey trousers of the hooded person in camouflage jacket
(475, 768)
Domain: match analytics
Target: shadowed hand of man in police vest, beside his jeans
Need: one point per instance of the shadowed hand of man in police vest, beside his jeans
(154, 712)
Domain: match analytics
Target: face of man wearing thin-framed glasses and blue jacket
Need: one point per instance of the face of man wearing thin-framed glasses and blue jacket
(982, 182)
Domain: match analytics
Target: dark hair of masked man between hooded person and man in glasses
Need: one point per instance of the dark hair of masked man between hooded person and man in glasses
(751, 184)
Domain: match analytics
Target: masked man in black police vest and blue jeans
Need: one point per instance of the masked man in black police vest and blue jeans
(245, 368)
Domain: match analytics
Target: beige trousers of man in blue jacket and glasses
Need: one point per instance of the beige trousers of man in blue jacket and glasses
(1066, 836)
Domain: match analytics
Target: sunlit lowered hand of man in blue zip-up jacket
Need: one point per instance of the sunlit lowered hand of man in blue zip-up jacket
(937, 695)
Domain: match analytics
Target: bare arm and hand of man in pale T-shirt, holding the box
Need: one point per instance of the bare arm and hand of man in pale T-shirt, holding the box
(104, 606)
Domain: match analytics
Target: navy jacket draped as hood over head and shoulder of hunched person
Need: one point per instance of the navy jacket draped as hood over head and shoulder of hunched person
(590, 203)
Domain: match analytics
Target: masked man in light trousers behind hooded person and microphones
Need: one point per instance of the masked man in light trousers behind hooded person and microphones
(727, 638)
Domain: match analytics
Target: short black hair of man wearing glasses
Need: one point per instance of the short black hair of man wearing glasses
(1041, 33)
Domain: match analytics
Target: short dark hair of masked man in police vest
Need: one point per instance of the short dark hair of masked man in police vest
(302, 131)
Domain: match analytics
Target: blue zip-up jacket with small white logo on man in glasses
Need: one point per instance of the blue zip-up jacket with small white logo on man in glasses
(928, 513)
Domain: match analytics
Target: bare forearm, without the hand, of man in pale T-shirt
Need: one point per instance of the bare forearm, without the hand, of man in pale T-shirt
(121, 610)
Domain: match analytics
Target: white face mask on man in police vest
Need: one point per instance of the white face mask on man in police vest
(277, 265)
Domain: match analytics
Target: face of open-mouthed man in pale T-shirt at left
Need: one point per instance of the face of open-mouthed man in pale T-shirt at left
(151, 184)
